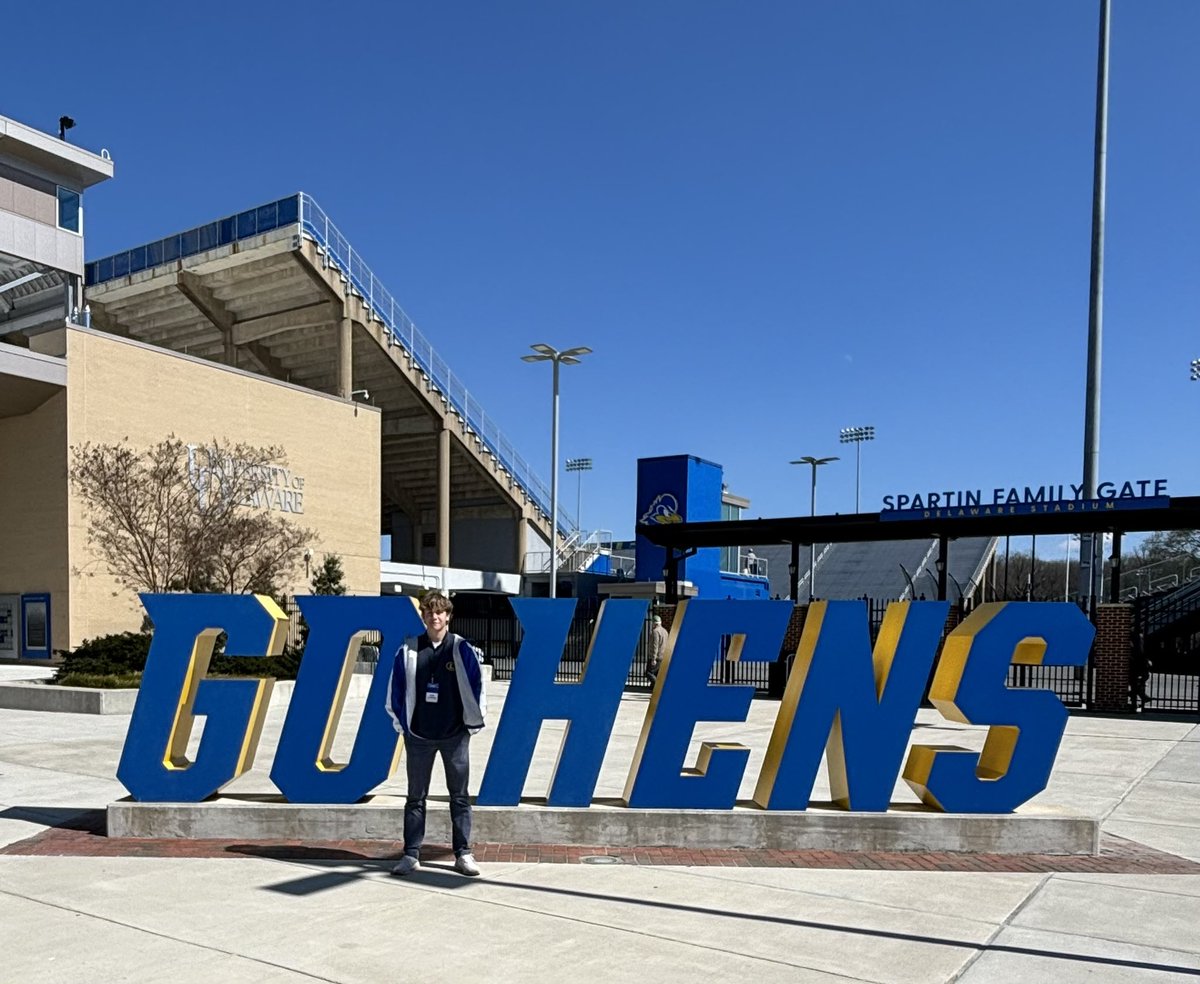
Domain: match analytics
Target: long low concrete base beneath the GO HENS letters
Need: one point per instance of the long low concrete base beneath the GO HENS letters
(607, 824)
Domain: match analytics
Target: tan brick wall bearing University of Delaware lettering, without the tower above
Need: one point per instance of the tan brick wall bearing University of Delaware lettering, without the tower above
(119, 391)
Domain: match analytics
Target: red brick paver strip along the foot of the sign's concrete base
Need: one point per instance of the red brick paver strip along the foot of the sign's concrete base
(85, 837)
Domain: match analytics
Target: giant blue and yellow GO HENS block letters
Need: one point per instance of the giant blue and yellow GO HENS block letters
(844, 701)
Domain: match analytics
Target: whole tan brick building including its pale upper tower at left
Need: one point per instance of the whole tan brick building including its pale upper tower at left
(63, 385)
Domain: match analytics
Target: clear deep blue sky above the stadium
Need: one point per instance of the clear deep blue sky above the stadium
(770, 220)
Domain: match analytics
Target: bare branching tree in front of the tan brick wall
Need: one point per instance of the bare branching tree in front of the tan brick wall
(194, 518)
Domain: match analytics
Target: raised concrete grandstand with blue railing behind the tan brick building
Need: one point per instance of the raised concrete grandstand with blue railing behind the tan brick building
(279, 291)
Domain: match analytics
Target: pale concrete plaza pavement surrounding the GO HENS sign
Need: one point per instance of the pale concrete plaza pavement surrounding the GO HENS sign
(295, 916)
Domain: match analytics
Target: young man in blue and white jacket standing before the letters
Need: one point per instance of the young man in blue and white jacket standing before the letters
(437, 703)
